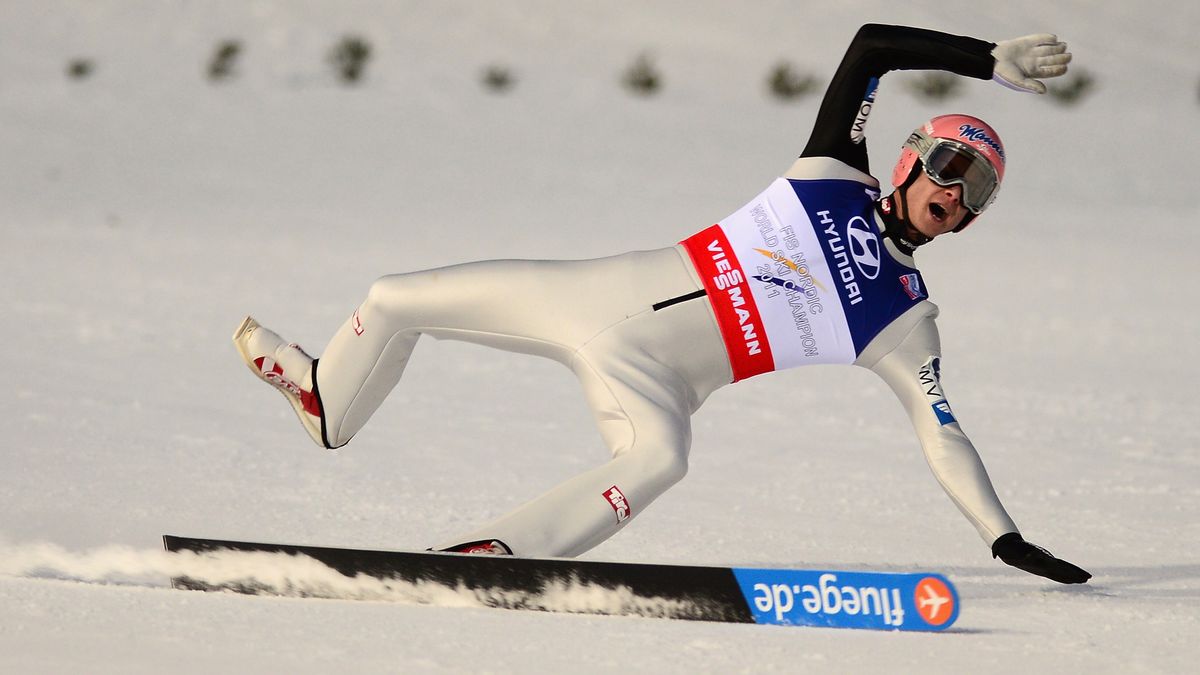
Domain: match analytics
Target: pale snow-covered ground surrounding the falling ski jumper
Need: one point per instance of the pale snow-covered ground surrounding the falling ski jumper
(145, 211)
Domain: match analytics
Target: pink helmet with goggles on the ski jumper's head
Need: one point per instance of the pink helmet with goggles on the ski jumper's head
(956, 151)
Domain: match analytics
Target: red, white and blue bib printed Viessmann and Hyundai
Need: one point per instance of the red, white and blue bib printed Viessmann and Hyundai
(800, 276)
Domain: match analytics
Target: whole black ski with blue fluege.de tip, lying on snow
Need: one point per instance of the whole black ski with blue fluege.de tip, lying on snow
(788, 598)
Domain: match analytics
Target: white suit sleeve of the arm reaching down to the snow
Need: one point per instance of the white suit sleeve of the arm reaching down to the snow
(908, 357)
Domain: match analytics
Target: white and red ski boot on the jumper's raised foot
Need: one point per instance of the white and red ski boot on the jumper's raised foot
(285, 367)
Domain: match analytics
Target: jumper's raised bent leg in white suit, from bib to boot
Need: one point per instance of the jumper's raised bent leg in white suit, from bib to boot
(544, 308)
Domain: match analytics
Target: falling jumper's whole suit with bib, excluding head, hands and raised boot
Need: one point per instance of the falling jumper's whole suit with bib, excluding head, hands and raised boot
(808, 272)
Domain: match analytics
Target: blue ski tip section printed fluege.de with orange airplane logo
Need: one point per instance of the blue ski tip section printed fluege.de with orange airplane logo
(850, 600)
